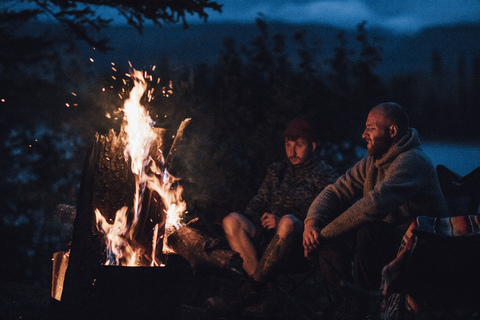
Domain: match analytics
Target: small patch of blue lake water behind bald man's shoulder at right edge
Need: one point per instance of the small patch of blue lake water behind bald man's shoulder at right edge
(462, 158)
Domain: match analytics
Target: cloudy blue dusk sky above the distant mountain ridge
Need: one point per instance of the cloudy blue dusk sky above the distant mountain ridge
(396, 15)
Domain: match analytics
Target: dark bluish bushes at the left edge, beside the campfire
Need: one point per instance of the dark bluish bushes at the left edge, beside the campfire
(40, 168)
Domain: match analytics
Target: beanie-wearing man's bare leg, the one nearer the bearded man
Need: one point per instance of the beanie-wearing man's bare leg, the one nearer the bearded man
(279, 248)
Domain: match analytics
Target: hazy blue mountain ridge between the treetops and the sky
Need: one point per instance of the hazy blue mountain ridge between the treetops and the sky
(402, 53)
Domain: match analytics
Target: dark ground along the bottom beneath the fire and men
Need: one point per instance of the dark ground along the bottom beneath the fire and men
(20, 301)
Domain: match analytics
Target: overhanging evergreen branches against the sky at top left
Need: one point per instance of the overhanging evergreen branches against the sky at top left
(84, 18)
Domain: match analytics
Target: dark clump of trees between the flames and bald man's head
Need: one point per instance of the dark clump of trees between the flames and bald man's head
(240, 106)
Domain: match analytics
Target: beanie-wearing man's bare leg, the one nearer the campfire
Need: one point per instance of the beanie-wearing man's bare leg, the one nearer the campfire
(239, 232)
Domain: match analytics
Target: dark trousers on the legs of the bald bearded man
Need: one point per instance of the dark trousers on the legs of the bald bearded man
(370, 248)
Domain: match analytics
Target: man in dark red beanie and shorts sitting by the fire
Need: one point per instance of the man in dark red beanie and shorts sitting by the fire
(269, 233)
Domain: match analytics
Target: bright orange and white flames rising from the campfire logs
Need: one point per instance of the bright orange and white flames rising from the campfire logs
(122, 249)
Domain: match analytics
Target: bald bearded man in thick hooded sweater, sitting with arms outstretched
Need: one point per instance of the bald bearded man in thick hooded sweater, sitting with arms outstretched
(363, 215)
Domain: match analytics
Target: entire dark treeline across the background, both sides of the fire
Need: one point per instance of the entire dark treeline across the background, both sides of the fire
(239, 107)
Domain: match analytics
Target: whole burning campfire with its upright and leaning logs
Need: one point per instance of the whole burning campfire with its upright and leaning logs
(129, 217)
